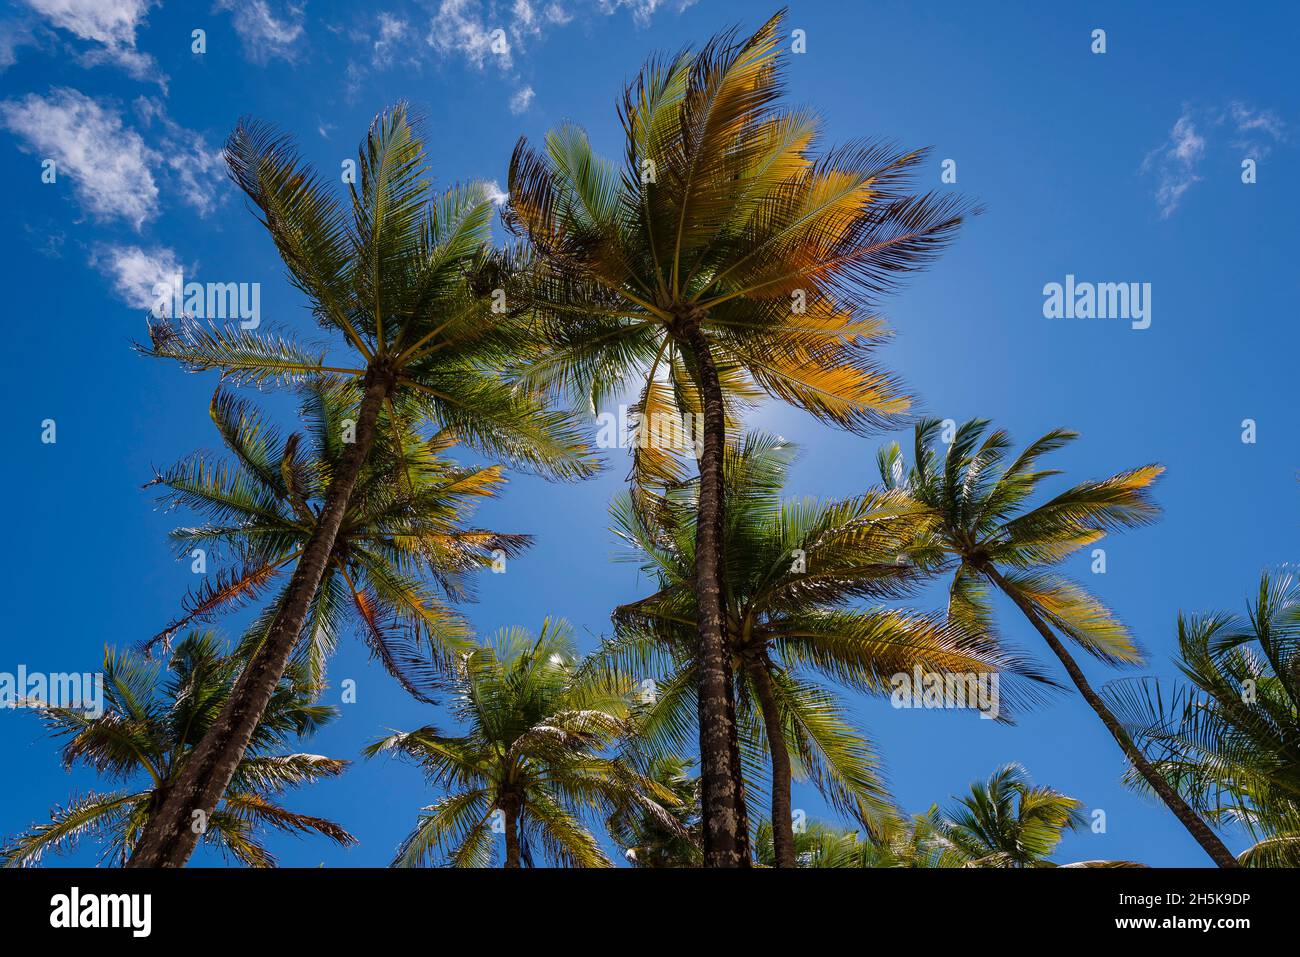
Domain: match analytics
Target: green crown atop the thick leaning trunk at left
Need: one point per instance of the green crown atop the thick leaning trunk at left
(406, 278)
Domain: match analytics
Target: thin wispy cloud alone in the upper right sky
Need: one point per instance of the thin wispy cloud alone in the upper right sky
(1177, 162)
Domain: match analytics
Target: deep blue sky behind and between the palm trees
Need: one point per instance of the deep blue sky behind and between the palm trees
(1117, 167)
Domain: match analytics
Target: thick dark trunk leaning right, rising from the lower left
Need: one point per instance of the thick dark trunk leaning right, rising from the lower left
(171, 835)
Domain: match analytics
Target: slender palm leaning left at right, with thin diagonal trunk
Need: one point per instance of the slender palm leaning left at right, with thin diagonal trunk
(986, 535)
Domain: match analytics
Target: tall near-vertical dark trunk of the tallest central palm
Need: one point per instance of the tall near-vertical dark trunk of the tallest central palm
(722, 820)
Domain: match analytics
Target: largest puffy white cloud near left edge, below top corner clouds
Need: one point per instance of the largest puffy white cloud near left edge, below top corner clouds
(107, 162)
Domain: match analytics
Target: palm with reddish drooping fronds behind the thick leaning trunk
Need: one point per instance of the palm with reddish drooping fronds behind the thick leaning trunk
(405, 526)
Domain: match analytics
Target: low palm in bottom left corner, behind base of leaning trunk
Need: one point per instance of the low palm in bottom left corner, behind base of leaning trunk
(149, 729)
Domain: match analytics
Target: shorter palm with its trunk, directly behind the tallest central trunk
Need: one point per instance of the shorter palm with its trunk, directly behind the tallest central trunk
(794, 571)
